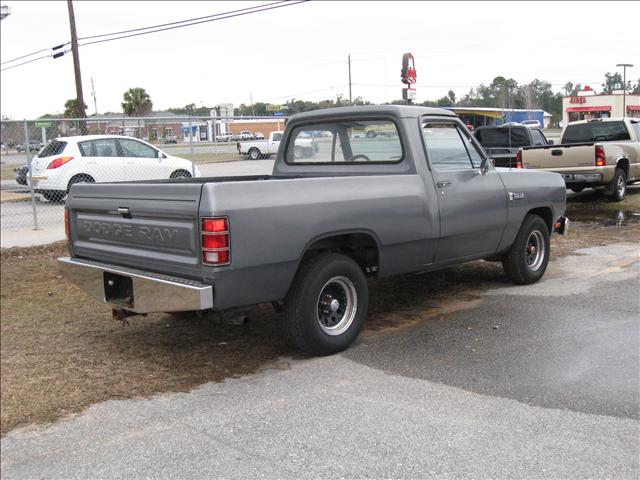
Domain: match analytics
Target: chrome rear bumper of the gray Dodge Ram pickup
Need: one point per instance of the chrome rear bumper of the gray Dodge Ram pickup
(135, 290)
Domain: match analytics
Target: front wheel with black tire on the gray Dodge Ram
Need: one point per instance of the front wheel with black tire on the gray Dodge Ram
(524, 263)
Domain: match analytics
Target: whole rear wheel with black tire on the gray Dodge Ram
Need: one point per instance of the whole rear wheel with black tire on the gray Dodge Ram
(324, 326)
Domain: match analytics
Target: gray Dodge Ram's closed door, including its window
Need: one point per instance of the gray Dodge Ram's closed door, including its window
(473, 206)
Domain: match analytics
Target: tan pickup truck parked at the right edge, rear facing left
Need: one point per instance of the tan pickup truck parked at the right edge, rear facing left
(603, 154)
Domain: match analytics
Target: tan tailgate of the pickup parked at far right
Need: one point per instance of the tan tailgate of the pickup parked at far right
(559, 157)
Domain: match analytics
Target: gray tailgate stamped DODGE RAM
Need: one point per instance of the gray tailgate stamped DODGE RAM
(152, 226)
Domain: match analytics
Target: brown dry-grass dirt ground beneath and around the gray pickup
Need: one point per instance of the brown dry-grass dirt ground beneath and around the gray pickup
(61, 351)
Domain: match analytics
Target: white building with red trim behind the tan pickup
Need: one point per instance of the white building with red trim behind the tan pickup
(587, 104)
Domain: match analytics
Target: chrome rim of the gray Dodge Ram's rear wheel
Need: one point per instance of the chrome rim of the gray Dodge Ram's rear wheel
(337, 305)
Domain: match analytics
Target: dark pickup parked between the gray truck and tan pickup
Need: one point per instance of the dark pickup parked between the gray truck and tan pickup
(502, 142)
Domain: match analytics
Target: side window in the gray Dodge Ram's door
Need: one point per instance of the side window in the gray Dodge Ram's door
(445, 147)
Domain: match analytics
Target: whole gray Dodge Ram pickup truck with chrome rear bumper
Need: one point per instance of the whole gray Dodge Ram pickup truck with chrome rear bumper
(309, 237)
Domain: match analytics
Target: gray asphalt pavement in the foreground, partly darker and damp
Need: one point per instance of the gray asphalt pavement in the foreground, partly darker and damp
(530, 382)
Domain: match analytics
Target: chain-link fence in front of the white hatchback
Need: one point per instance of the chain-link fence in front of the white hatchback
(41, 159)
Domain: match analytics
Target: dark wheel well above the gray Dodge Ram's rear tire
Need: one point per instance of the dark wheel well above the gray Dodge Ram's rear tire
(360, 247)
